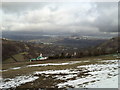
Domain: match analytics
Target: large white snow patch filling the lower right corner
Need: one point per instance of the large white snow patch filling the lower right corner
(100, 76)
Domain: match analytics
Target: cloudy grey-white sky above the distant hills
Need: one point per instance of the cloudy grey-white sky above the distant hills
(82, 18)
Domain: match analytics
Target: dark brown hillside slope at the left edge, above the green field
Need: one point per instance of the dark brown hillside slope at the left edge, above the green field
(10, 48)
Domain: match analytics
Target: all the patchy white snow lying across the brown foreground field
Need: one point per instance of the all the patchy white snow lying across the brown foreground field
(90, 76)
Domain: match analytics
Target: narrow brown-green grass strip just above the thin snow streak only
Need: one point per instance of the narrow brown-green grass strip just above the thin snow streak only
(19, 64)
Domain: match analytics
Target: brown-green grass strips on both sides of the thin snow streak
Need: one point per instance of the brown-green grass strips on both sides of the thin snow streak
(29, 70)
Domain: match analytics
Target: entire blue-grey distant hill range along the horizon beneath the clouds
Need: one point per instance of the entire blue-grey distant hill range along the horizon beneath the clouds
(72, 41)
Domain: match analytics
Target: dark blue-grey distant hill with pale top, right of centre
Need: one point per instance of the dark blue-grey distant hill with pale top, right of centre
(80, 42)
